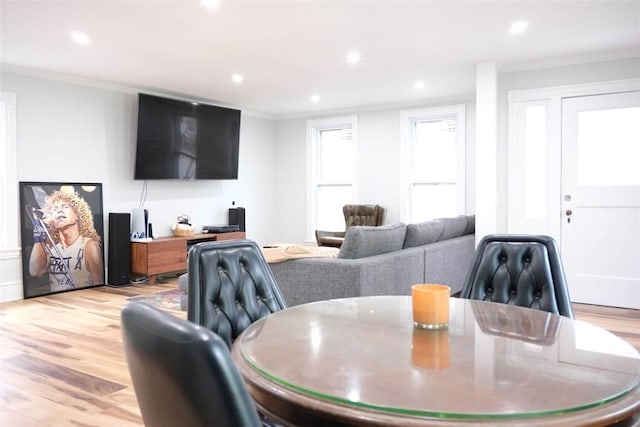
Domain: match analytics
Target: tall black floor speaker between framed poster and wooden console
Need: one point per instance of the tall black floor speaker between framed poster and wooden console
(119, 263)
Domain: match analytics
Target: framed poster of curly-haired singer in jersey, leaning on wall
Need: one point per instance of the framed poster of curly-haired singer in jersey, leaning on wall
(61, 231)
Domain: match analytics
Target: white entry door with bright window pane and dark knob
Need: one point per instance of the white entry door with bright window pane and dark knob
(600, 228)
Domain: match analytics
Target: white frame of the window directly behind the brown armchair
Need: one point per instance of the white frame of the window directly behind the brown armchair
(314, 127)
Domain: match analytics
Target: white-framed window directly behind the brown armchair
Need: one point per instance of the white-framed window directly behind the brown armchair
(332, 165)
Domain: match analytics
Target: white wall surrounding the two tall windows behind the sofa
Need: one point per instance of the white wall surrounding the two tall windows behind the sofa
(379, 163)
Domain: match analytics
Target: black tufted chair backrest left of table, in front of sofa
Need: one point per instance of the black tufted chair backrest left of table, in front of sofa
(230, 287)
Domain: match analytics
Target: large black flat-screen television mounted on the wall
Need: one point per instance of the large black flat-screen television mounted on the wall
(184, 140)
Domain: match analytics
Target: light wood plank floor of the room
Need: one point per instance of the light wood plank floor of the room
(61, 359)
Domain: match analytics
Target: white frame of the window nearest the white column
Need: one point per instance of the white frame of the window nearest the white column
(408, 118)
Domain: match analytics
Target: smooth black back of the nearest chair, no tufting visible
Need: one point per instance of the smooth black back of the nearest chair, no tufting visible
(182, 373)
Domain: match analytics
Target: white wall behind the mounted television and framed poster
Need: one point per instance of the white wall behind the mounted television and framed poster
(74, 132)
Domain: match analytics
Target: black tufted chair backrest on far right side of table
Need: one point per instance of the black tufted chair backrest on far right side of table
(521, 270)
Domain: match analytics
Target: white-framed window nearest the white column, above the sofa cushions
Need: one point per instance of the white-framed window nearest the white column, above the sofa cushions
(433, 172)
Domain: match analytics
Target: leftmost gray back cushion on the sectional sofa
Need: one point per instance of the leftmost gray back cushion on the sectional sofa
(364, 241)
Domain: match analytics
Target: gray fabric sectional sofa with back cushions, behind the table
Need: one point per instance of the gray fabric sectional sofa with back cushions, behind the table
(384, 260)
